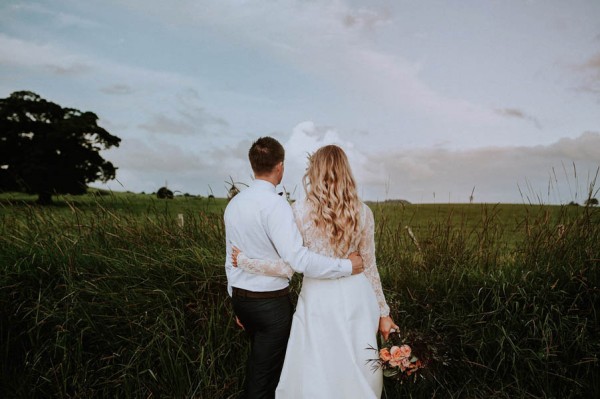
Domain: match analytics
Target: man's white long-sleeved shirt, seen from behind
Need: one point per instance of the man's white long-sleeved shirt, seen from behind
(261, 224)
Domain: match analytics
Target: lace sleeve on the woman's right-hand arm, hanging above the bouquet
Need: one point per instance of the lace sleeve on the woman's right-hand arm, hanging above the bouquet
(367, 251)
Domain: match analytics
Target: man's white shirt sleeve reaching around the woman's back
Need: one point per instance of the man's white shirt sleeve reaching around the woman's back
(286, 238)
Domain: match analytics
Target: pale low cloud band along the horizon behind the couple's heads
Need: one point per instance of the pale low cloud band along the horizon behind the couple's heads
(556, 173)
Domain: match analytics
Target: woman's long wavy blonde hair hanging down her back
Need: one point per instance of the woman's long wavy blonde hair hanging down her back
(331, 194)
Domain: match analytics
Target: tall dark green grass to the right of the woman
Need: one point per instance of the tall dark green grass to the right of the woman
(520, 318)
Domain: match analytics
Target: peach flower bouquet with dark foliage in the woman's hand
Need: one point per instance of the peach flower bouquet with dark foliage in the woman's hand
(407, 356)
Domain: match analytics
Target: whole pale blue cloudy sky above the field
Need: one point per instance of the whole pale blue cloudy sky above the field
(433, 101)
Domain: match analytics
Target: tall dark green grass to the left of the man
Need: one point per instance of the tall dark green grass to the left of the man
(106, 304)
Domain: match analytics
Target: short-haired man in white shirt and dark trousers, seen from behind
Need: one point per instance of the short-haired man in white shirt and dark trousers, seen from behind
(261, 224)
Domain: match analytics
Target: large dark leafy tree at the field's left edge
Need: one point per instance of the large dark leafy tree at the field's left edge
(46, 149)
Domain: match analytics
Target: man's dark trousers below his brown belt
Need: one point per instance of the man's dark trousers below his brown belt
(268, 322)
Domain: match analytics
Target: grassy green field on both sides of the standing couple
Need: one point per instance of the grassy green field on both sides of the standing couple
(114, 297)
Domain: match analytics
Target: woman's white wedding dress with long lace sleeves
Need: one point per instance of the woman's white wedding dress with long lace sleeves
(335, 322)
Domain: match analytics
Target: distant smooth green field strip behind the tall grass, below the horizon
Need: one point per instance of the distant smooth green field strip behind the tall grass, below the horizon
(510, 218)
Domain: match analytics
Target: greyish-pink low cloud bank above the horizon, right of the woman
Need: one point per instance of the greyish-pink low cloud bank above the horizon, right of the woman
(435, 174)
